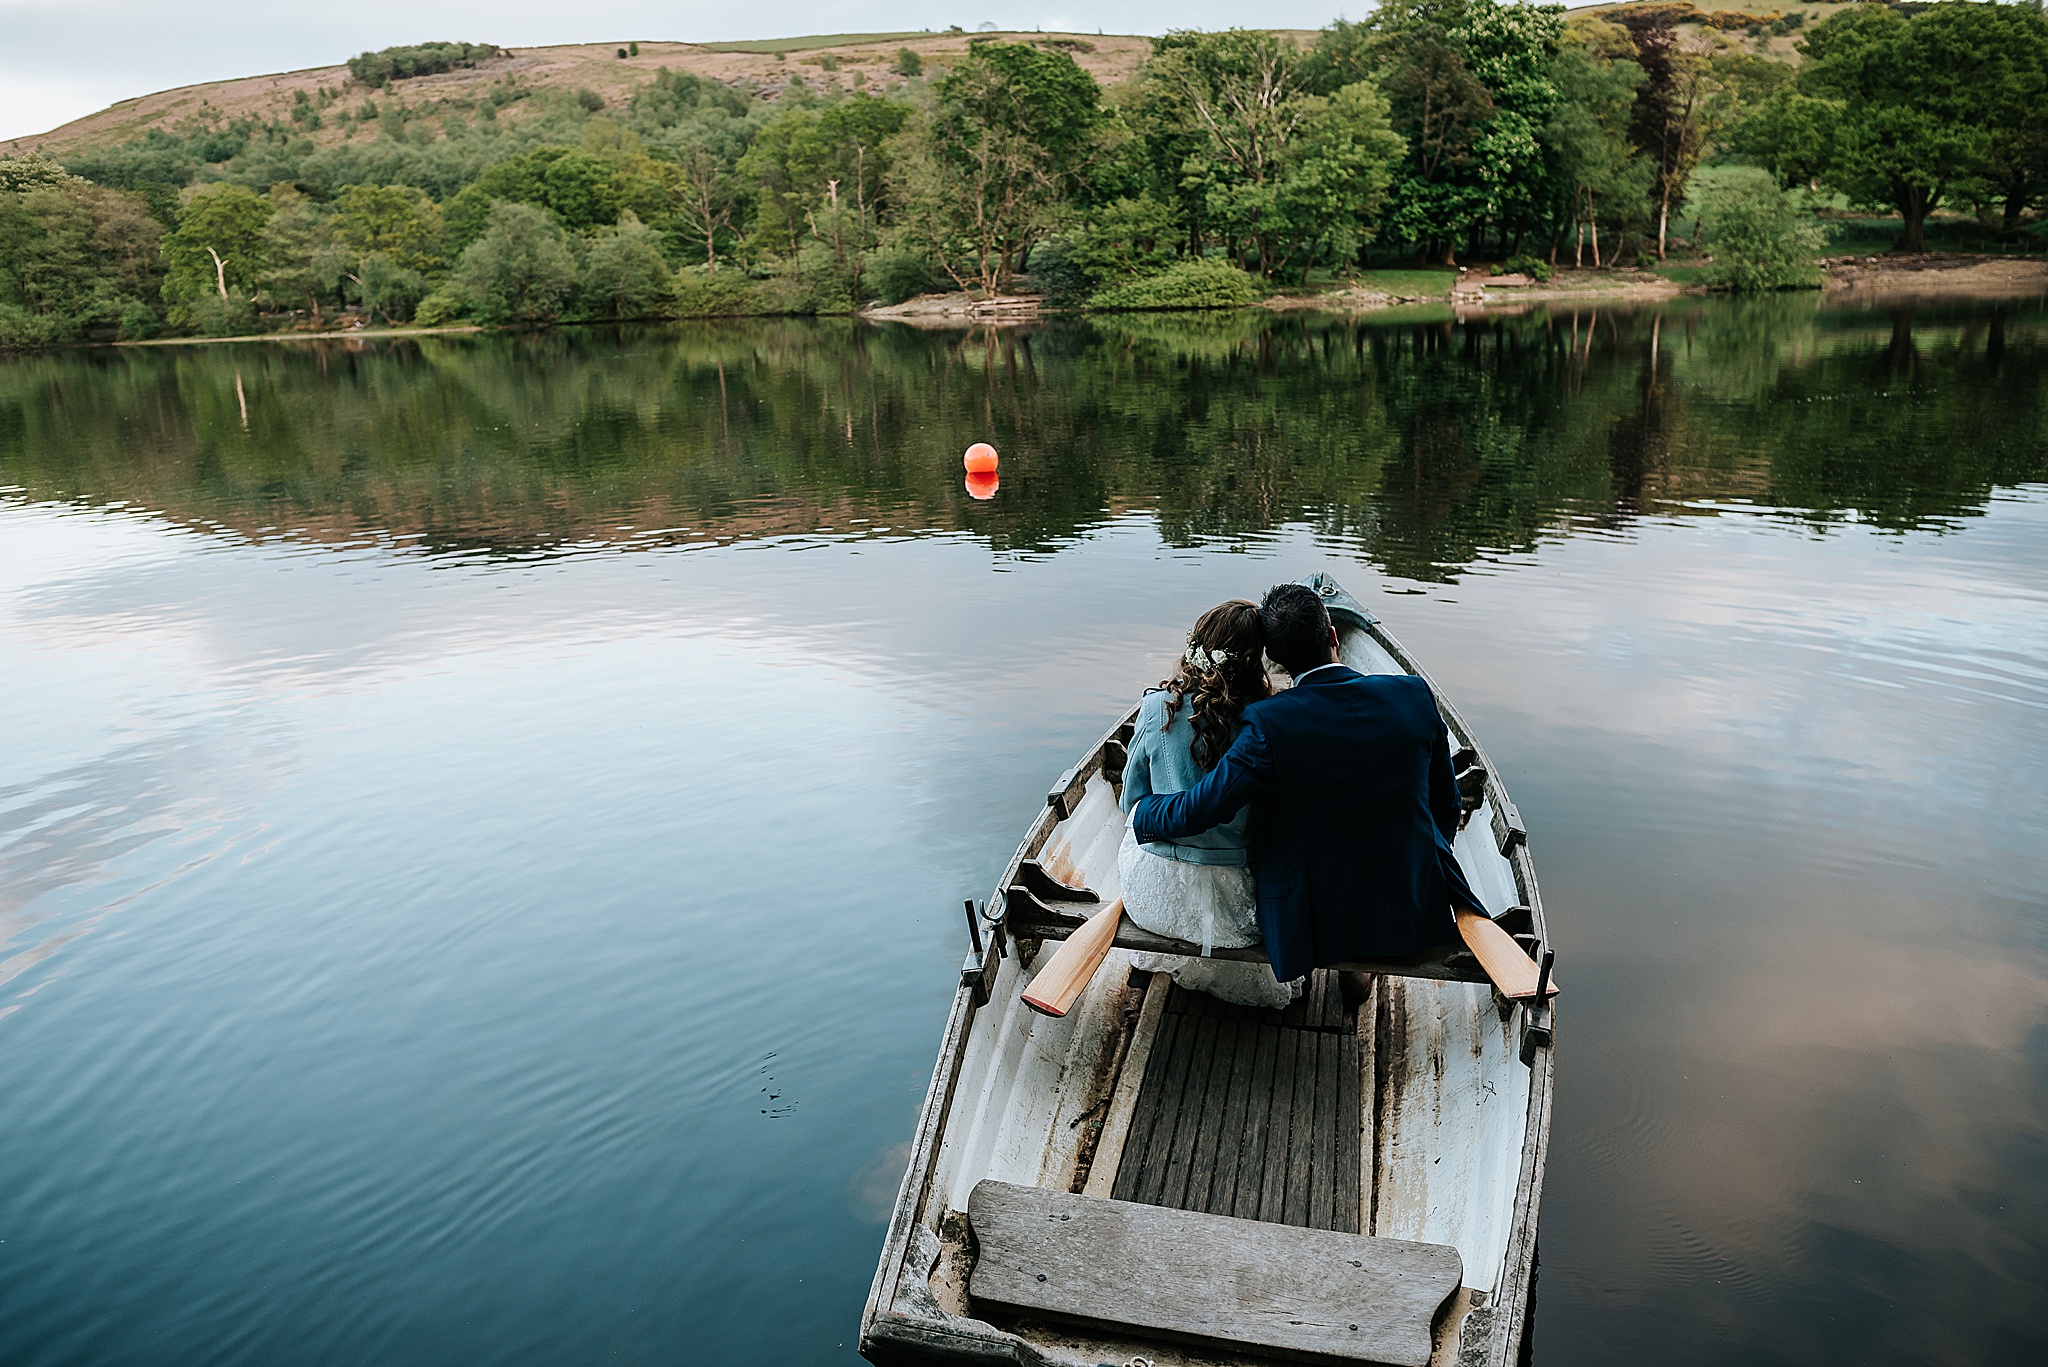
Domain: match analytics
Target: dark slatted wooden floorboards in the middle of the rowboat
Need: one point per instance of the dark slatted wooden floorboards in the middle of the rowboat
(1252, 1114)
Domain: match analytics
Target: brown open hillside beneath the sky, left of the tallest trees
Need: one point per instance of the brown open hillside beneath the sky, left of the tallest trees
(824, 63)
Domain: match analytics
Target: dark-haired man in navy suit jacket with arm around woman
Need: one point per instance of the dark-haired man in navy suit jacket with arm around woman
(1353, 804)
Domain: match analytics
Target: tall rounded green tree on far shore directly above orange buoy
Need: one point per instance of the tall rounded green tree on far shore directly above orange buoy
(992, 165)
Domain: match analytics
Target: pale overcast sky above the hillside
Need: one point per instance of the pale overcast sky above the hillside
(67, 58)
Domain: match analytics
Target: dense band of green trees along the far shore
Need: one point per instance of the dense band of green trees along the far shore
(1232, 163)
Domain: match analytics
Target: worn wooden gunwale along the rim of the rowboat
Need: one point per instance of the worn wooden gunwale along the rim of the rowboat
(974, 1339)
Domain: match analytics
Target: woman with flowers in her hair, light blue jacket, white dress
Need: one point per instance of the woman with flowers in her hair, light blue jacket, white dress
(1199, 888)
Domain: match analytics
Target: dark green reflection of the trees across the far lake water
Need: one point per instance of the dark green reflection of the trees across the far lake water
(1422, 440)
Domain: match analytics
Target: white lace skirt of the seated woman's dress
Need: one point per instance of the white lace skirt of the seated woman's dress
(1213, 907)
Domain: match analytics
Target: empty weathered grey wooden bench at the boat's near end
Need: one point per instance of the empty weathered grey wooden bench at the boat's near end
(1209, 1280)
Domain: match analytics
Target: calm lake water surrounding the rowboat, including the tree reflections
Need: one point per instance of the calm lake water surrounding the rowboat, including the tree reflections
(484, 821)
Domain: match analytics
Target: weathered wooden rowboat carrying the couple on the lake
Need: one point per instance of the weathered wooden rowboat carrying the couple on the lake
(1160, 1177)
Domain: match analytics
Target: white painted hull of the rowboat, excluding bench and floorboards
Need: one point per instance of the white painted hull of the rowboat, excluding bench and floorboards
(1455, 1118)
